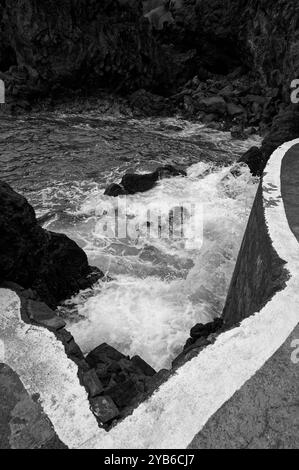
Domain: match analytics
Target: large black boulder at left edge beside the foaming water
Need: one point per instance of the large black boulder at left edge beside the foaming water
(49, 263)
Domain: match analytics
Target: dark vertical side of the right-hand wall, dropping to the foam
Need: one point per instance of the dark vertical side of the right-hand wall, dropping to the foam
(259, 272)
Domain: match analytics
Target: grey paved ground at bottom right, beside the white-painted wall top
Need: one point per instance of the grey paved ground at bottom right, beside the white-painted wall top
(263, 414)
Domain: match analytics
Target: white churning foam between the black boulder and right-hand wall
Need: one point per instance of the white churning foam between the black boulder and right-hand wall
(162, 288)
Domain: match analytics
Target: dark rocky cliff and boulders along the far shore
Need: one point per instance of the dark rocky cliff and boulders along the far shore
(245, 53)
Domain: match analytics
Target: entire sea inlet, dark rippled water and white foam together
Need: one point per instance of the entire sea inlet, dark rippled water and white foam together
(165, 279)
